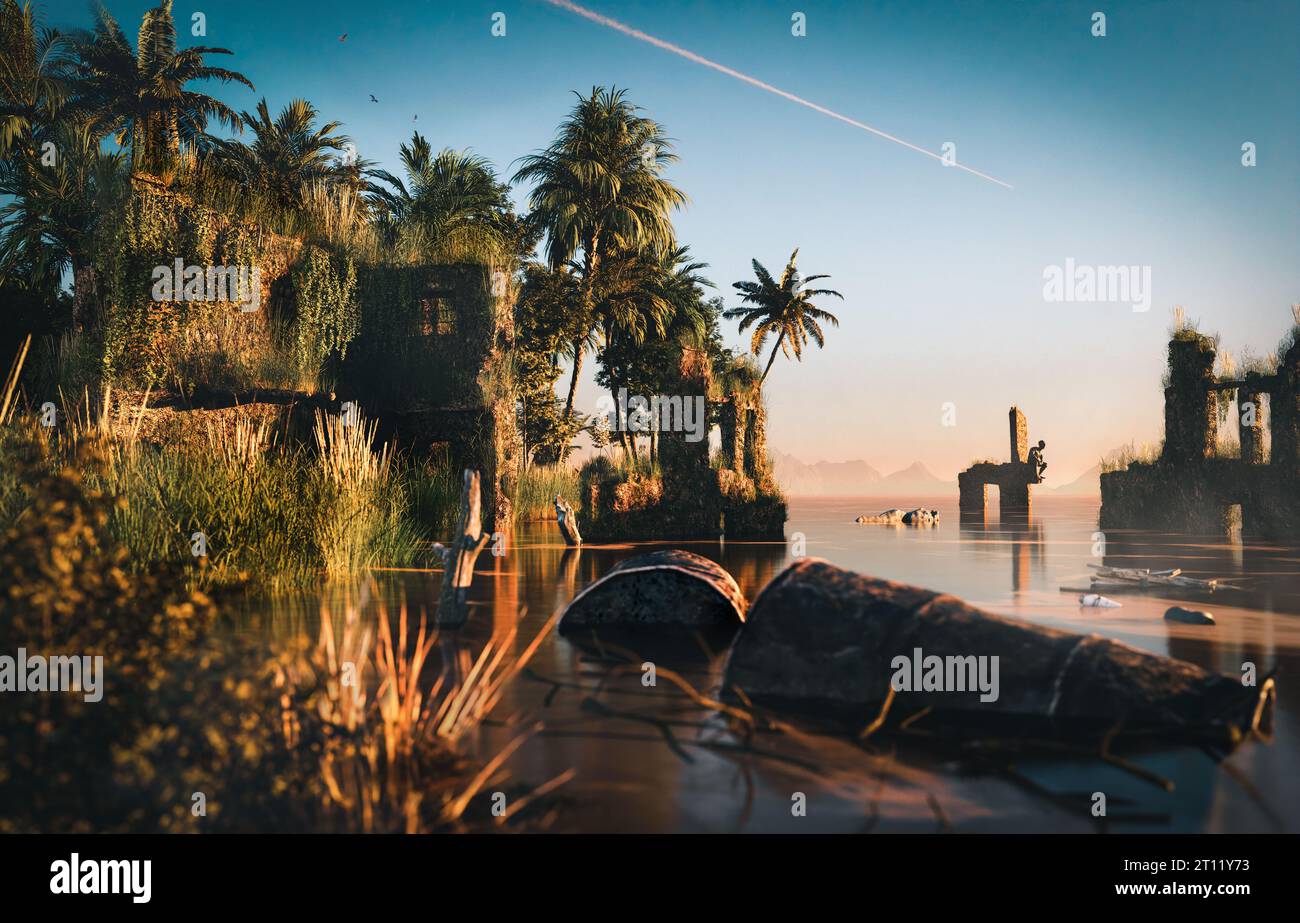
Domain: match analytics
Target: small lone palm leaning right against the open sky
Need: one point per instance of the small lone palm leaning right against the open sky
(785, 309)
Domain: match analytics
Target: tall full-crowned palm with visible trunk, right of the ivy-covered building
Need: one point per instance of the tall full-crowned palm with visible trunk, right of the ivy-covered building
(600, 190)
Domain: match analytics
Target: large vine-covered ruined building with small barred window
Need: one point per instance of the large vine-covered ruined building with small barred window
(423, 350)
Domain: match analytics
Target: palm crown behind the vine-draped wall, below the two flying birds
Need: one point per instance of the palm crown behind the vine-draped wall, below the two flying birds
(287, 154)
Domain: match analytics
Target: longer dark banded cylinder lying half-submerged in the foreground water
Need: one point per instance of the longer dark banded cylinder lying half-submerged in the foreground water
(822, 639)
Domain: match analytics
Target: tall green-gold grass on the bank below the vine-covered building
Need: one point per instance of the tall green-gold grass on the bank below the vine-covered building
(258, 512)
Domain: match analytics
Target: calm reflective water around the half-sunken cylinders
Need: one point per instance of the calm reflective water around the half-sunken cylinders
(649, 760)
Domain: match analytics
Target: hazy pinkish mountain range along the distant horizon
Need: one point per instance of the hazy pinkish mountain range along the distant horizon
(859, 479)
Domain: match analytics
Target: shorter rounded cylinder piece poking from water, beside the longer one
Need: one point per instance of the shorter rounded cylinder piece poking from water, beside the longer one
(664, 588)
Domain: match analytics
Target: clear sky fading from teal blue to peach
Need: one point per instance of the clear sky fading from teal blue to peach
(1124, 150)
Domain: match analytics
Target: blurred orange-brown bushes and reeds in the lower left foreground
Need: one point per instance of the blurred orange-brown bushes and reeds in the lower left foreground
(361, 734)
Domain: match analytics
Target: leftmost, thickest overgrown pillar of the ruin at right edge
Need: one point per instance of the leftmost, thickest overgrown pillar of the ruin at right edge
(1191, 413)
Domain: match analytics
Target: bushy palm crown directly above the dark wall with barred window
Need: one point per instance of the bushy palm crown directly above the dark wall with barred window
(450, 202)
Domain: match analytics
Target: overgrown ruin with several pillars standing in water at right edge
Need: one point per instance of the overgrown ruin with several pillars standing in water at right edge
(1191, 488)
